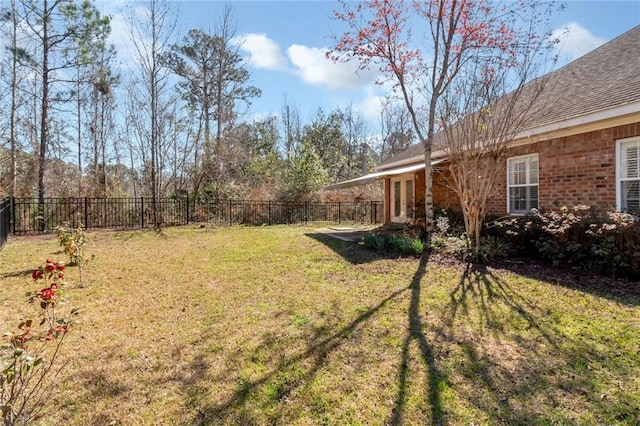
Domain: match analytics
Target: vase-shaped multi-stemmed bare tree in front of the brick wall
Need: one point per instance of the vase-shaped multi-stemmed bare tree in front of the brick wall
(492, 102)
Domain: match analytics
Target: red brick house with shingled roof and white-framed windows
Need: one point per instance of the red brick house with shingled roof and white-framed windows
(584, 148)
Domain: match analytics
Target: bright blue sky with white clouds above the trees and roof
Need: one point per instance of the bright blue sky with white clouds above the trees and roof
(285, 41)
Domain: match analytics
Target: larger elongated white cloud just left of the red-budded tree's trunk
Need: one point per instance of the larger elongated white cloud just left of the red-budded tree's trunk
(313, 67)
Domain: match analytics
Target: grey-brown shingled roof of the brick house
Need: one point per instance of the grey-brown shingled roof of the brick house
(606, 77)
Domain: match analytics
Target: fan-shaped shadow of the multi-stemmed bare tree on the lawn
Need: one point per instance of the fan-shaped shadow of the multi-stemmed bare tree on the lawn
(520, 365)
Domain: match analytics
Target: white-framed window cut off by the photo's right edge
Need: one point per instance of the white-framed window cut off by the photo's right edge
(628, 171)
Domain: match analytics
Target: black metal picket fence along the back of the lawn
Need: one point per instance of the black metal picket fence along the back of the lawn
(28, 215)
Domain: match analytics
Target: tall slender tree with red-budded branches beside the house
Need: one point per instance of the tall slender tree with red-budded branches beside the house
(424, 67)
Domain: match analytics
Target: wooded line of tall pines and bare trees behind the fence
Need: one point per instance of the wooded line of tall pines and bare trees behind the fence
(73, 122)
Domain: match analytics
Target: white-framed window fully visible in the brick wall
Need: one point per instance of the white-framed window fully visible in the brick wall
(522, 184)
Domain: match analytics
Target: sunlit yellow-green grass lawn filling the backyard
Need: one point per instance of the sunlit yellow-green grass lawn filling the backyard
(280, 325)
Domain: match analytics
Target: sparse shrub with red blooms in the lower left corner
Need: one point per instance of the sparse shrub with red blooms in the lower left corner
(28, 354)
